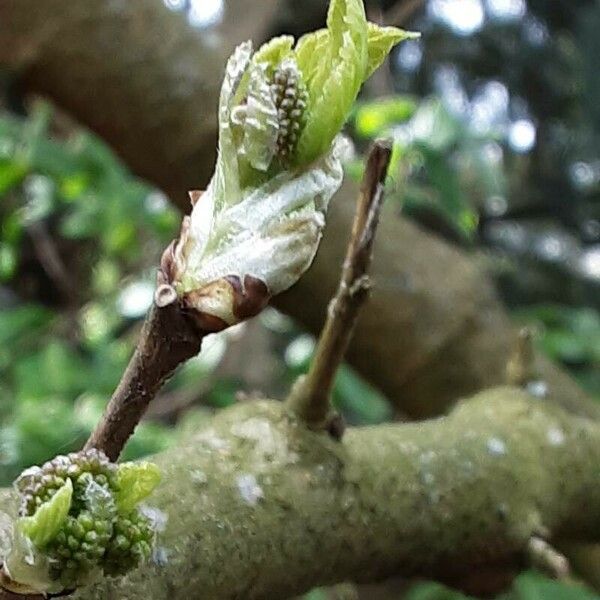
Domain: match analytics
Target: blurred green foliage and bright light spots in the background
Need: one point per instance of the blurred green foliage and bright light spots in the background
(495, 115)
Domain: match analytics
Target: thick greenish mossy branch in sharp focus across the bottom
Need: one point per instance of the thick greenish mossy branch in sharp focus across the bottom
(259, 506)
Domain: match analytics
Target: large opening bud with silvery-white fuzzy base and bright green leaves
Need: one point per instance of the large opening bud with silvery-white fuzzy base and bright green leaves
(257, 227)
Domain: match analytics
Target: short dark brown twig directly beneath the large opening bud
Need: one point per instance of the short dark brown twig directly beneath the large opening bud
(168, 338)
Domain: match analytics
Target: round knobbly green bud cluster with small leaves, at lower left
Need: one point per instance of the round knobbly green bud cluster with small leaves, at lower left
(79, 517)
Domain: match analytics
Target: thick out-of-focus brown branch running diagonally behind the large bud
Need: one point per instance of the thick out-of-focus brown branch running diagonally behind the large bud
(145, 81)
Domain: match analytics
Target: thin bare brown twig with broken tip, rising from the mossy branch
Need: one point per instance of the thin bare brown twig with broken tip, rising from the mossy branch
(310, 396)
